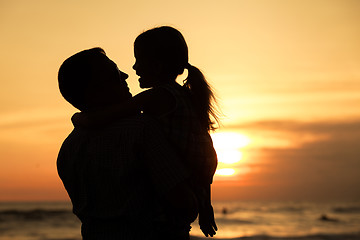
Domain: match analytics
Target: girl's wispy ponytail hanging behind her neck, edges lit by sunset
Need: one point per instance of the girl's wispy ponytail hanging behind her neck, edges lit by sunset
(202, 96)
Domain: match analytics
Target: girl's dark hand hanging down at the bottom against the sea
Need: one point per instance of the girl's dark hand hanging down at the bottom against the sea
(207, 221)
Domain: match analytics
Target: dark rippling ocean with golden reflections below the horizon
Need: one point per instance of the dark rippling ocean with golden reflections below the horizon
(256, 220)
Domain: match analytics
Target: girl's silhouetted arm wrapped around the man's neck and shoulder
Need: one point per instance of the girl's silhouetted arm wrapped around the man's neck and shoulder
(155, 102)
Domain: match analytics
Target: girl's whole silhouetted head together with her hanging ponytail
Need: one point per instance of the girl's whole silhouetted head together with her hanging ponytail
(161, 55)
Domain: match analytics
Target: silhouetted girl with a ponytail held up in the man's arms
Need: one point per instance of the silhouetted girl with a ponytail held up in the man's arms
(184, 111)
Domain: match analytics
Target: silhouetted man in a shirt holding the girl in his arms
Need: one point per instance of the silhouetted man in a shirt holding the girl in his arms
(124, 180)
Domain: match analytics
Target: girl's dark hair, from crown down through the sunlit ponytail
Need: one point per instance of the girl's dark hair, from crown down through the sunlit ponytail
(167, 45)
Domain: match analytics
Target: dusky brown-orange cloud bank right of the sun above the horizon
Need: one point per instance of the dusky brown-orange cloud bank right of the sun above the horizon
(325, 167)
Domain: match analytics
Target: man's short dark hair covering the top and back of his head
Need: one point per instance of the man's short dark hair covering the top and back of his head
(76, 73)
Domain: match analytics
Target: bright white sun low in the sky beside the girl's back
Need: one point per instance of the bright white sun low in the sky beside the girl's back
(228, 147)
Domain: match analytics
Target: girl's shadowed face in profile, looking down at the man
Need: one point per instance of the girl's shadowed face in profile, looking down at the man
(148, 69)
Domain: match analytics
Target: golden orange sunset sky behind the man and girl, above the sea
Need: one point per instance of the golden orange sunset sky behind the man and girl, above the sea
(286, 73)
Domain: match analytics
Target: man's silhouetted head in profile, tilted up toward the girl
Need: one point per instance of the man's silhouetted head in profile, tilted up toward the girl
(89, 79)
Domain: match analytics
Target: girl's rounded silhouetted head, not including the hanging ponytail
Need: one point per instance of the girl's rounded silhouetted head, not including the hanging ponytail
(163, 51)
